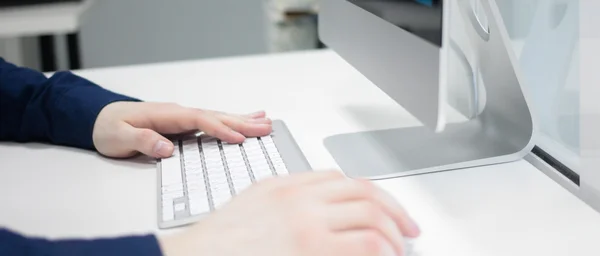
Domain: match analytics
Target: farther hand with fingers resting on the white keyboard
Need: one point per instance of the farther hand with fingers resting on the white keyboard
(123, 129)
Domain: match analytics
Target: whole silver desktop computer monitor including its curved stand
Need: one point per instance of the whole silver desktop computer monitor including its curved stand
(411, 49)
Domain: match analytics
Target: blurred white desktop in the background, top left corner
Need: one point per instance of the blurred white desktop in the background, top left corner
(41, 19)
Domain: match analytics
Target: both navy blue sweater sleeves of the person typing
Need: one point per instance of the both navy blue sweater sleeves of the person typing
(61, 110)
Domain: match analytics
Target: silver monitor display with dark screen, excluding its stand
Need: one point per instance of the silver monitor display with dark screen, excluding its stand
(380, 36)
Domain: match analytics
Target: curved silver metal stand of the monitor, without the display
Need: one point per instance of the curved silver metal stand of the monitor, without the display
(502, 132)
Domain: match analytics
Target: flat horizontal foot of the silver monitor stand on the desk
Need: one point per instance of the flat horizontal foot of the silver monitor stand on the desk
(409, 151)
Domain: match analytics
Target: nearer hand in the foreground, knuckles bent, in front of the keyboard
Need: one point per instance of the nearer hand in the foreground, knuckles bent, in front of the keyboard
(309, 214)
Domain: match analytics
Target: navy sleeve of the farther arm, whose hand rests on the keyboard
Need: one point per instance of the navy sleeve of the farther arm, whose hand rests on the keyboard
(60, 110)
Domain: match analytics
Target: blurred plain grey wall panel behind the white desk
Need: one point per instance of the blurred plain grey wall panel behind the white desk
(123, 32)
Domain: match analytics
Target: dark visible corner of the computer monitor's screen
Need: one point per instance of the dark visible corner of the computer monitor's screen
(423, 18)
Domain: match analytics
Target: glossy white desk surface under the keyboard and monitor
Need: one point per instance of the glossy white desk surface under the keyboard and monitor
(510, 209)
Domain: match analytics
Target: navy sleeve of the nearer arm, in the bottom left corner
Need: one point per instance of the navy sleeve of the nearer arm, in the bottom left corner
(14, 244)
